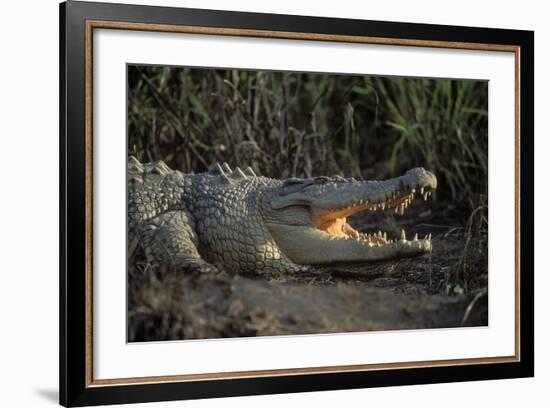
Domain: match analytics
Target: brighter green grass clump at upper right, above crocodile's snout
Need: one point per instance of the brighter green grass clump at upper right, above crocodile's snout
(441, 125)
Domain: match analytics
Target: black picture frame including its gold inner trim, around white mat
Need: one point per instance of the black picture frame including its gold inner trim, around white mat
(78, 384)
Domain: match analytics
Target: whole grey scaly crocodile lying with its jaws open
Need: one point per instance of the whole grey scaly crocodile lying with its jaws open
(252, 224)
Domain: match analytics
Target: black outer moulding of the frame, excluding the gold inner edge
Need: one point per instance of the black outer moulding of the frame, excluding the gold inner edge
(73, 391)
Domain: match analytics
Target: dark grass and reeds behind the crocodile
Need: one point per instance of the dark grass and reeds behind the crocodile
(285, 124)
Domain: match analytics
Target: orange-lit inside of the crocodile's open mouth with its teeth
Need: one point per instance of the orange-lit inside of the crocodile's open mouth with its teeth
(334, 222)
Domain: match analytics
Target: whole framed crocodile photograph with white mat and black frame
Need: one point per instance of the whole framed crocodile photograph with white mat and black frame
(255, 203)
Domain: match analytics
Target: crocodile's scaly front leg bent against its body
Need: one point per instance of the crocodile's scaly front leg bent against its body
(170, 239)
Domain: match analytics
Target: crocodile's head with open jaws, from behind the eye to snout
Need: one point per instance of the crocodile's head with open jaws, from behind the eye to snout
(307, 217)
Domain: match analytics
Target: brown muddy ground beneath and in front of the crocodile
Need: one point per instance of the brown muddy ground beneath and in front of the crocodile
(447, 288)
